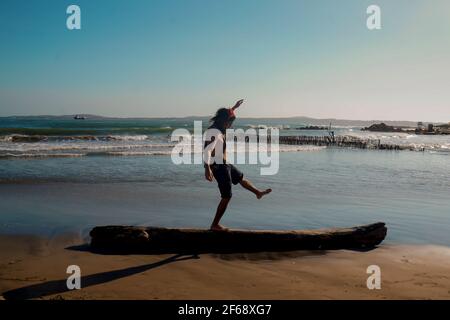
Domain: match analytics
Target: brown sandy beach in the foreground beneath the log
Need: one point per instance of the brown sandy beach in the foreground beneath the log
(35, 268)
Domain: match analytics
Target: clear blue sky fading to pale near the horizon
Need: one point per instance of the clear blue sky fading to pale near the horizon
(188, 57)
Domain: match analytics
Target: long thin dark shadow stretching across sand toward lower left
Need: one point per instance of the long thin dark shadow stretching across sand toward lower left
(60, 286)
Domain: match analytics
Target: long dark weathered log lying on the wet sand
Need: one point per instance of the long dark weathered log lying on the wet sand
(128, 239)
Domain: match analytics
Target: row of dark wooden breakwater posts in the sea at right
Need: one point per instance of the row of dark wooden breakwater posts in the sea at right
(339, 141)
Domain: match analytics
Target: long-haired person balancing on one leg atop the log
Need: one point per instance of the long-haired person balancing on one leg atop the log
(225, 173)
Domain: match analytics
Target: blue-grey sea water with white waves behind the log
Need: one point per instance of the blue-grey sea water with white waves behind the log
(72, 175)
